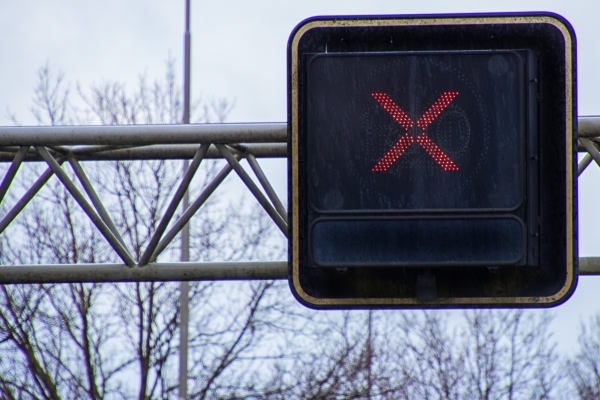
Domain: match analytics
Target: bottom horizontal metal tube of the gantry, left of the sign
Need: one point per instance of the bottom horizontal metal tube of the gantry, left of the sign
(188, 271)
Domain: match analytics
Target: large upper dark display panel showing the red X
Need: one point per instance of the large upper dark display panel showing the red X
(415, 131)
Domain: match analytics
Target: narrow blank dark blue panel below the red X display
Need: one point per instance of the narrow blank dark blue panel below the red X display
(380, 242)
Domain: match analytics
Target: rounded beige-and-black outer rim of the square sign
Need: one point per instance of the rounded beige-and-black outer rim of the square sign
(302, 282)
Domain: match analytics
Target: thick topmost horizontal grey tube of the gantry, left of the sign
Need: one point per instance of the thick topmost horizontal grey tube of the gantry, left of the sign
(141, 135)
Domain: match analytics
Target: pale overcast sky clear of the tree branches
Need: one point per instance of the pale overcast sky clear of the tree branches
(239, 51)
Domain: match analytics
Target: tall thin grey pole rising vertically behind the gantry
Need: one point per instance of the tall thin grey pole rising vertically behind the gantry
(185, 233)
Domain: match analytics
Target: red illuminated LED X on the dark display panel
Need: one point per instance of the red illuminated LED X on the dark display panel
(422, 139)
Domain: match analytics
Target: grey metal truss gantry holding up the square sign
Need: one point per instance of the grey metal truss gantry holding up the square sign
(71, 144)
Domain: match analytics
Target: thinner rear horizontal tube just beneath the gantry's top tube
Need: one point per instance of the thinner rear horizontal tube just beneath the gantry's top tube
(156, 152)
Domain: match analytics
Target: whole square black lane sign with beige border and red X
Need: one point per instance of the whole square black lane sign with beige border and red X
(432, 161)
